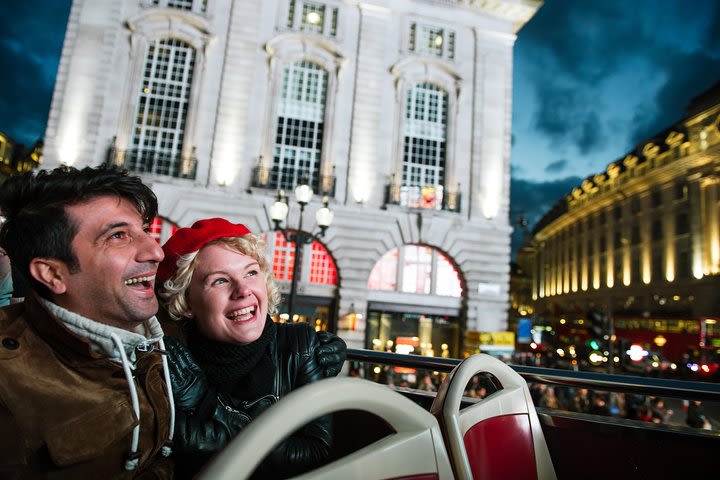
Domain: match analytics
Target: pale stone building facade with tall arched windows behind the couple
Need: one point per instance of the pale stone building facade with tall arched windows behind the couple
(398, 111)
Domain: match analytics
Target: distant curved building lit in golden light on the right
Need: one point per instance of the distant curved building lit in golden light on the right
(641, 240)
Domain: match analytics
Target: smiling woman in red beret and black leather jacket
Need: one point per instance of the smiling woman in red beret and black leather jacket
(238, 361)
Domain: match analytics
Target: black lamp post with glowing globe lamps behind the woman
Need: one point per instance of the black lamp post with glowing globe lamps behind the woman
(278, 214)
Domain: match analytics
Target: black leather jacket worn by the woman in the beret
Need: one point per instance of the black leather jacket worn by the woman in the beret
(201, 433)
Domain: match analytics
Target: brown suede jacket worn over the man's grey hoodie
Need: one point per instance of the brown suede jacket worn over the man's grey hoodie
(65, 411)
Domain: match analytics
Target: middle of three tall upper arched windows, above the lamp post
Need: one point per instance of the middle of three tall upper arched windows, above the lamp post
(300, 124)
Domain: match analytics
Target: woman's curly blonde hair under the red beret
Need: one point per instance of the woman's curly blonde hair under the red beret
(174, 292)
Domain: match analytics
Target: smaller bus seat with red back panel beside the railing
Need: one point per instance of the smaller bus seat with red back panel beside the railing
(498, 437)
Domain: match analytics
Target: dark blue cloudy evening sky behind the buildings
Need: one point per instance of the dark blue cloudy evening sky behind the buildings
(592, 79)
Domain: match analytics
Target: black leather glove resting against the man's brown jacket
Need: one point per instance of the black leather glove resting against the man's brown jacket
(189, 383)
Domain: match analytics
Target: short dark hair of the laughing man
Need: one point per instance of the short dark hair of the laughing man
(37, 225)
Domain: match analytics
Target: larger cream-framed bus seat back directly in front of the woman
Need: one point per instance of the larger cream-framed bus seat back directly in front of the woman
(415, 451)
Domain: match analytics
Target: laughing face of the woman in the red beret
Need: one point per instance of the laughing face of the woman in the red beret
(228, 295)
